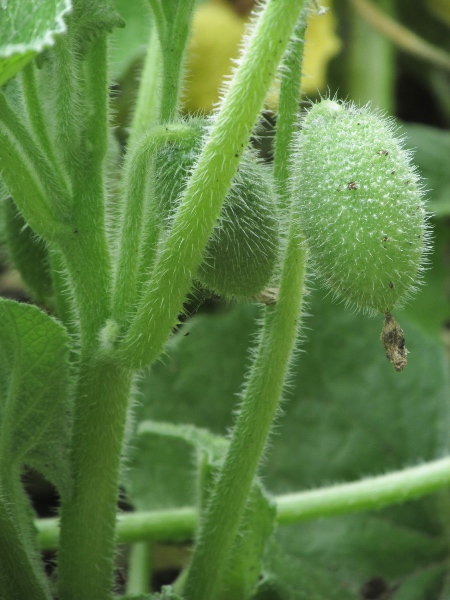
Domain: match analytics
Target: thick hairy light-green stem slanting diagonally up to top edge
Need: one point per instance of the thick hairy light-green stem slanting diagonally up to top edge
(208, 186)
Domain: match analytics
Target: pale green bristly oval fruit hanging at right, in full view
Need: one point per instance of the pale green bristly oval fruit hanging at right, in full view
(361, 207)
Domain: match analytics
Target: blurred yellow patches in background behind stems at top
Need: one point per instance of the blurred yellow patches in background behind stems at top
(216, 37)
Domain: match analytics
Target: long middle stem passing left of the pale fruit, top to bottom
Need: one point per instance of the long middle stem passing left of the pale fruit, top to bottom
(220, 524)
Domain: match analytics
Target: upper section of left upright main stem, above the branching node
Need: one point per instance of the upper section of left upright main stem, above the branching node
(85, 248)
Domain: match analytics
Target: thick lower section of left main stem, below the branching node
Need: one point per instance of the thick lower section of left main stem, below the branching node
(88, 516)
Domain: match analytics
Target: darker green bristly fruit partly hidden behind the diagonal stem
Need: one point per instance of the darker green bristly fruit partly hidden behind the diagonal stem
(242, 252)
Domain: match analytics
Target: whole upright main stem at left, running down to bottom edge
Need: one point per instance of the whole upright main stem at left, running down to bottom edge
(103, 390)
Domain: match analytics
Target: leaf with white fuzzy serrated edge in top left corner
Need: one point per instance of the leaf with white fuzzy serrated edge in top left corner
(28, 26)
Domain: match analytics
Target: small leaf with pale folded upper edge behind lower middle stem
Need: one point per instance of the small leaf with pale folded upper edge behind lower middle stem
(171, 465)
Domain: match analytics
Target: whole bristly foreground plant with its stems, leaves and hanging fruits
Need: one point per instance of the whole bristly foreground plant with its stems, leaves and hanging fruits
(116, 258)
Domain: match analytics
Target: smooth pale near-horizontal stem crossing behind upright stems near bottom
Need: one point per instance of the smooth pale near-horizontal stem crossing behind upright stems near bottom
(372, 493)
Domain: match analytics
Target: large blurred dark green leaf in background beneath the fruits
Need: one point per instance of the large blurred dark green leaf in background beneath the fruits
(348, 415)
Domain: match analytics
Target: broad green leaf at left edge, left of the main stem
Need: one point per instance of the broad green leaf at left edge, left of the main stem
(34, 393)
